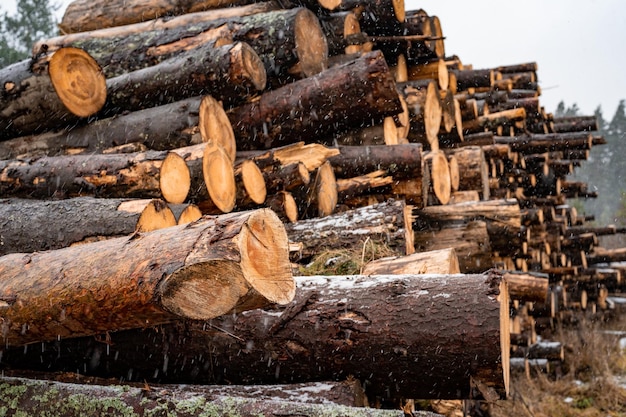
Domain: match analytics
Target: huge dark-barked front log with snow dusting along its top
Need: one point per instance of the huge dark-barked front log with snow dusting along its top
(449, 330)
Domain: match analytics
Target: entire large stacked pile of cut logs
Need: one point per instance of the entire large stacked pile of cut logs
(349, 122)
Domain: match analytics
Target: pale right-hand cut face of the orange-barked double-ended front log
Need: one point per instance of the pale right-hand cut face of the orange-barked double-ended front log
(264, 250)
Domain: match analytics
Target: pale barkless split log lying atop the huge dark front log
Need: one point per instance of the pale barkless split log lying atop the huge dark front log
(442, 261)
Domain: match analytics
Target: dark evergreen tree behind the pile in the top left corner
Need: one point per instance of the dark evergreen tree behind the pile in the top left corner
(33, 20)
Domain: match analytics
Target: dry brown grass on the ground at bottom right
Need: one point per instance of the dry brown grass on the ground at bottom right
(587, 386)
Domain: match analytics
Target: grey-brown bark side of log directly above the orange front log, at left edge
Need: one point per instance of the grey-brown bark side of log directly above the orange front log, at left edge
(35, 225)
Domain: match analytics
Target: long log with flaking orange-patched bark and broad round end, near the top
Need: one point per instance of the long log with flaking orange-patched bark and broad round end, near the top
(281, 38)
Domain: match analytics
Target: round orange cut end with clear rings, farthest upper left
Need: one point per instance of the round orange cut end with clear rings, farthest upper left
(78, 81)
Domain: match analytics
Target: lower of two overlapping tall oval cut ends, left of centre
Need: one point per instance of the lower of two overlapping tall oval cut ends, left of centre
(219, 177)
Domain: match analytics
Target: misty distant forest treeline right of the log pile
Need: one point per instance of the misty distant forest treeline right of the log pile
(605, 170)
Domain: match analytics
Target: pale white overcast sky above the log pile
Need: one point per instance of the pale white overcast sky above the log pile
(580, 45)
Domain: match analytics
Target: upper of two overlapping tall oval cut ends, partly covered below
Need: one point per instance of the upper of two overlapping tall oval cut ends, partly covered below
(215, 126)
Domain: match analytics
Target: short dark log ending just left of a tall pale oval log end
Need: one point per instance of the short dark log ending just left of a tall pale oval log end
(399, 161)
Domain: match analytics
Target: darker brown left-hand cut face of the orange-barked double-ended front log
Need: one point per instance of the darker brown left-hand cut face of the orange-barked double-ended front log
(203, 291)
